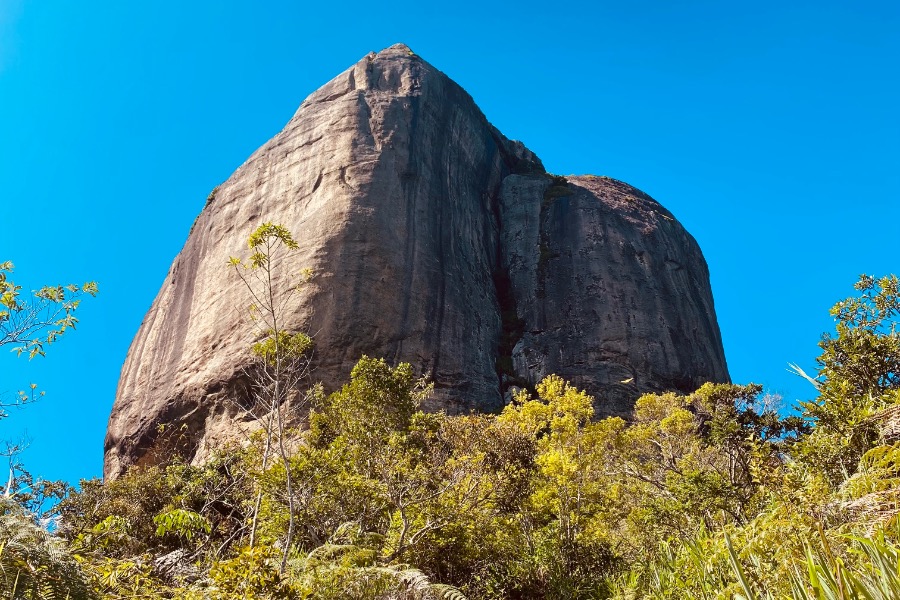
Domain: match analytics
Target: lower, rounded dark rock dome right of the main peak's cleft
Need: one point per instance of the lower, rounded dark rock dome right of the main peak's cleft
(609, 290)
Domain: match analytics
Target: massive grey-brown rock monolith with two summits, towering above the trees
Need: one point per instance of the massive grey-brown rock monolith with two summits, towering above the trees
(435, 241)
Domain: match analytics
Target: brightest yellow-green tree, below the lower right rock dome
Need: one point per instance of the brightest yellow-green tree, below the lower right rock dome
(565, 521)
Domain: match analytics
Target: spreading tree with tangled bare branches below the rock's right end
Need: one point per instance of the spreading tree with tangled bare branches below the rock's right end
(699, 458)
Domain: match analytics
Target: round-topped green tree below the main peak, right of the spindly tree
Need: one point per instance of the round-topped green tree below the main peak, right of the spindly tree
(408, 463)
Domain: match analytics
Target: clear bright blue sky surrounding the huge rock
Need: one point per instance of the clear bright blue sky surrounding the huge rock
(770, 129)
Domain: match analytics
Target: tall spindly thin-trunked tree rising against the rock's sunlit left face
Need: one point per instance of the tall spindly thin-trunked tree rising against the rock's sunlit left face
(282, 357)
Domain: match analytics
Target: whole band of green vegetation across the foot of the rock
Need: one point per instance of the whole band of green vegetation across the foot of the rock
(714, 494)
